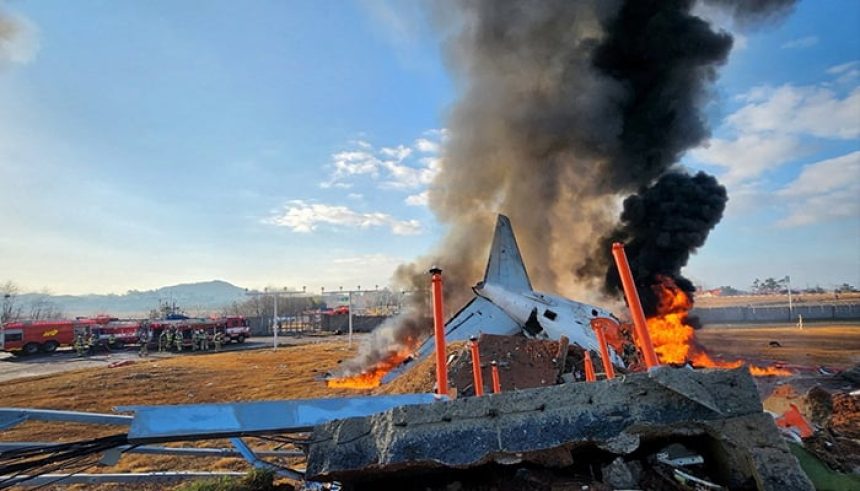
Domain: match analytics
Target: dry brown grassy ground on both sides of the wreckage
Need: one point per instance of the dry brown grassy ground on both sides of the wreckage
(295, 372)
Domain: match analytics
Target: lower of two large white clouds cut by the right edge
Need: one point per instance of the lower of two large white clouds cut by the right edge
(823, 191)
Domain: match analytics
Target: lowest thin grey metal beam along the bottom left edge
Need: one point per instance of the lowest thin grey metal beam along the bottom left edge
(63, 479)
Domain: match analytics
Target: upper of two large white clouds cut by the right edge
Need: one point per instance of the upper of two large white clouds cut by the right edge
(815, 111)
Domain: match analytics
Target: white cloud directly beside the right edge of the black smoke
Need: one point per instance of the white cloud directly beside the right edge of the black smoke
(749, 155)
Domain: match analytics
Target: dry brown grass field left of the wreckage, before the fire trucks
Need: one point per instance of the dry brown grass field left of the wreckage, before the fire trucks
(289, 373)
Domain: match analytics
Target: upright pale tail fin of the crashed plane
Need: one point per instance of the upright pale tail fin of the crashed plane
(505, 267)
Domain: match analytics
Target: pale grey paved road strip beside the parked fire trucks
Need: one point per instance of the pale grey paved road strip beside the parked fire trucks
(15, 367)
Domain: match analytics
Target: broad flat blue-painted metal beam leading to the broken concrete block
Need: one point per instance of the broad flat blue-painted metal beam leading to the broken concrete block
(200, 421)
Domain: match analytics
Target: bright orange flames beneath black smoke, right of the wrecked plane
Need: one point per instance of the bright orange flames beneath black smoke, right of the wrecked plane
(674, 339)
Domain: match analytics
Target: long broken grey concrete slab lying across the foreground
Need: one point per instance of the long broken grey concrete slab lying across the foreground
(534, 425)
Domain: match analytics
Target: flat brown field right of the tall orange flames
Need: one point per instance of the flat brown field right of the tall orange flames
(835, 346)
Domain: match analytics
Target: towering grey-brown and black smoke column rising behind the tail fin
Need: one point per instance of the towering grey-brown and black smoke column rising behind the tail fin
(566, 108)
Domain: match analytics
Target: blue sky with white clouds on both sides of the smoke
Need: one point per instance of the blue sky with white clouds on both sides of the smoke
(290, 144)
